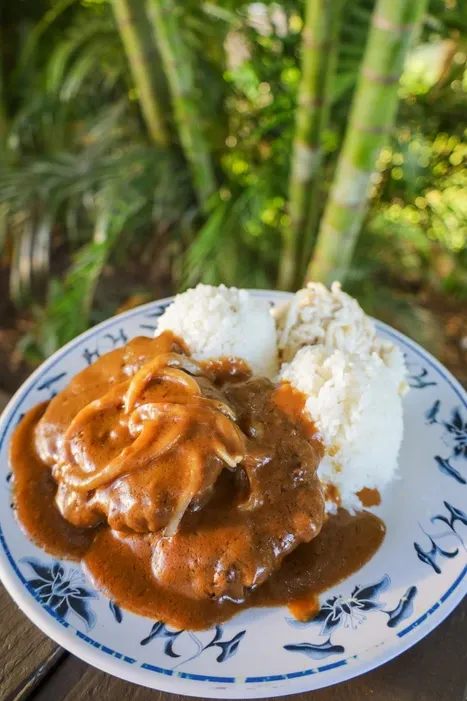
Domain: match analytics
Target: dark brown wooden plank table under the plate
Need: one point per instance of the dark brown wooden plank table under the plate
(33, 667)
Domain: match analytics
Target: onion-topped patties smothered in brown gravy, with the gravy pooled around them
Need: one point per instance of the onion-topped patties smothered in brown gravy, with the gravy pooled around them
(188, 491)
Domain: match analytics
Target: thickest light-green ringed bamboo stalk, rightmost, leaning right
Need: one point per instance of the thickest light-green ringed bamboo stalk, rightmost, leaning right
(371, 119)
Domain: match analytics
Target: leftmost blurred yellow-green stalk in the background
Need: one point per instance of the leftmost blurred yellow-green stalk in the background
(133, 24)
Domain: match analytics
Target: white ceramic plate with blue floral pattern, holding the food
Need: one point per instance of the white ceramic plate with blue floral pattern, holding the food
(413, 582)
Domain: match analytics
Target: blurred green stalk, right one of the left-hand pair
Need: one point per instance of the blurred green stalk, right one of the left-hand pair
(165, 15)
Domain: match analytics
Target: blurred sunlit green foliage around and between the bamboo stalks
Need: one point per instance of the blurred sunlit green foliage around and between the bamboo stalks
(80, 180)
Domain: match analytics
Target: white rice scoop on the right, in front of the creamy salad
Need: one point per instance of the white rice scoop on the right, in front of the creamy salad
(355, 402)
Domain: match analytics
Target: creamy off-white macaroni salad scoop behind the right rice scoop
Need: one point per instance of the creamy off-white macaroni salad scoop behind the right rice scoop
(317, 315)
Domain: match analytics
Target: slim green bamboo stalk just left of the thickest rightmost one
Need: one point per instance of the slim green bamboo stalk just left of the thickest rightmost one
(319, 58)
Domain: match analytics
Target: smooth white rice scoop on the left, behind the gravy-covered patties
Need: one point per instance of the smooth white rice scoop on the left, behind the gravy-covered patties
(221, 321)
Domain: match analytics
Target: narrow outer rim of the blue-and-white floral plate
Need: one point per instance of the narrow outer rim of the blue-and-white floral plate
(182, 683)
